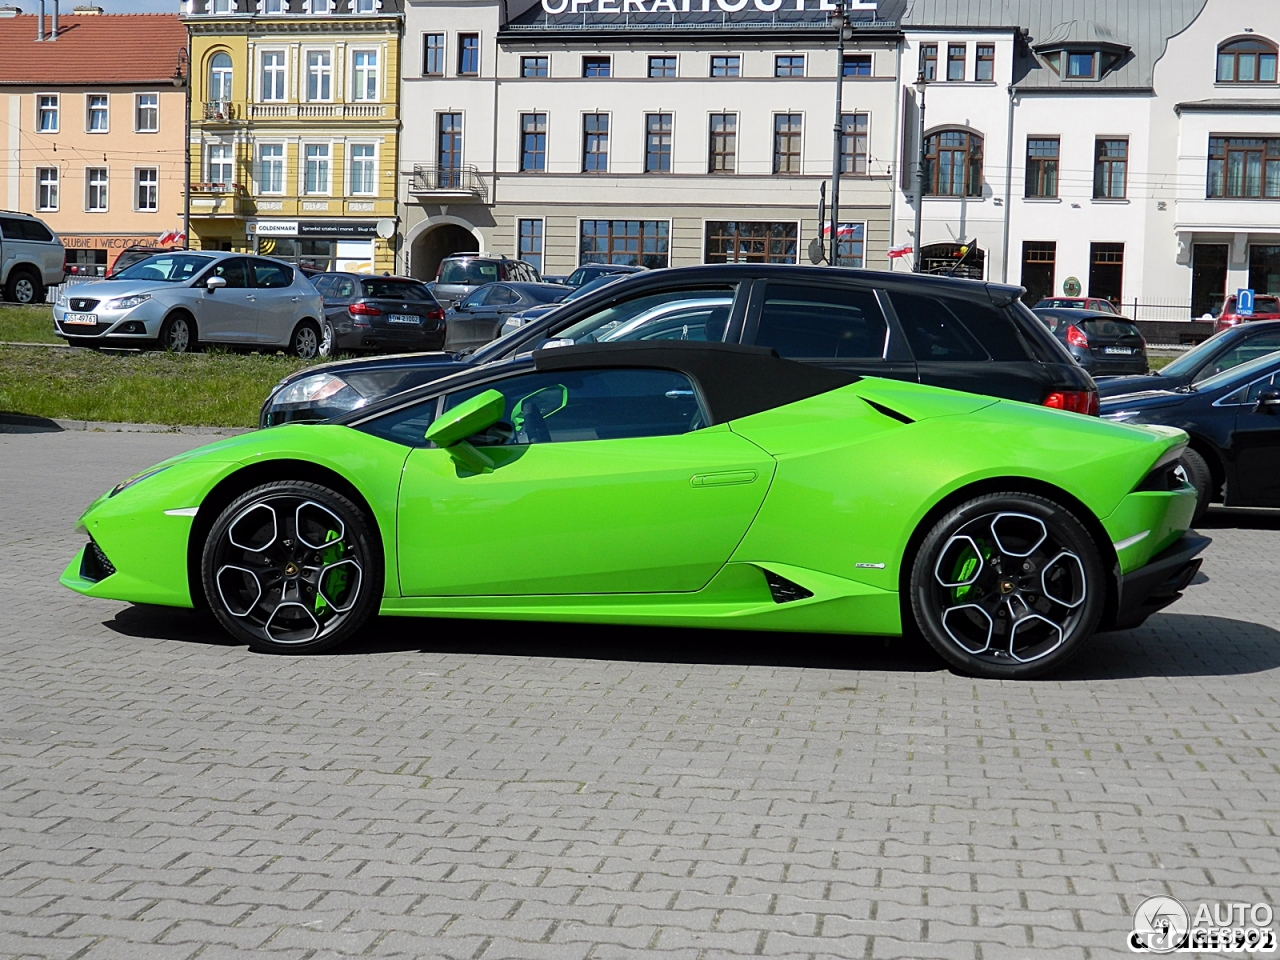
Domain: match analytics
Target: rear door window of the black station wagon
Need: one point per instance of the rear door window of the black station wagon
(821, 323)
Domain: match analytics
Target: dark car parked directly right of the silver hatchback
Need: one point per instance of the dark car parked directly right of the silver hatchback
(378, 314)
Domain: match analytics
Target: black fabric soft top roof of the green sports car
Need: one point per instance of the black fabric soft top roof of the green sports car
(735, 381)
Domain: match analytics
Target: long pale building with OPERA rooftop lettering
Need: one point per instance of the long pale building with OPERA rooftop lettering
(659, 138)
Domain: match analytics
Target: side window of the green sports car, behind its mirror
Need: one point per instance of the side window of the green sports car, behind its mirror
(591, 405)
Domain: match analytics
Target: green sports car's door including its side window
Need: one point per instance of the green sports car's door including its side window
(602, 482)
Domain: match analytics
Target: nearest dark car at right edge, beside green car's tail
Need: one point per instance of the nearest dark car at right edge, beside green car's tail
(1235, 423)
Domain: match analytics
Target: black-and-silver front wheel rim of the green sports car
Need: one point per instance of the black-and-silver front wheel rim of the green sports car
(289, 570)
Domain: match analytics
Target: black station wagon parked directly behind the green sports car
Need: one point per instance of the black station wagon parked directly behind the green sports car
(963, 335)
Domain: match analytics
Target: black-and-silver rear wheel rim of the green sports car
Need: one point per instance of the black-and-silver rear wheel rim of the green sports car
(1008, 588)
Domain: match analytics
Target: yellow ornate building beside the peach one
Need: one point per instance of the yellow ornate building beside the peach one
(295, 117)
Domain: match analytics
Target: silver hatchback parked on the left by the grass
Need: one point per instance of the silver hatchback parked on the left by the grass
(184, 299)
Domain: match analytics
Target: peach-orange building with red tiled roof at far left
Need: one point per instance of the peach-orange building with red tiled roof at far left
(93, 129)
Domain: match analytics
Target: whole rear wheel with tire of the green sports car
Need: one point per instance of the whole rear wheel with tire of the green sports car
(1008, 587)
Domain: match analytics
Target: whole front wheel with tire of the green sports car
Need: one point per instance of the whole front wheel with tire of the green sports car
(292, 568)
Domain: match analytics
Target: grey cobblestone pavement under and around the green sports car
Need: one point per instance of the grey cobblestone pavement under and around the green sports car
(460, 790)
